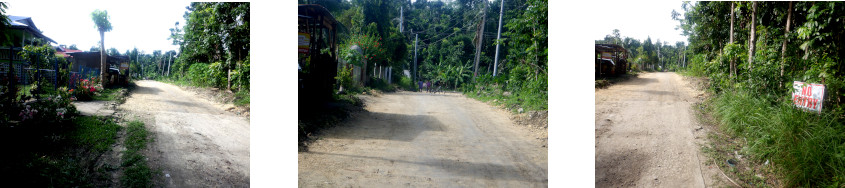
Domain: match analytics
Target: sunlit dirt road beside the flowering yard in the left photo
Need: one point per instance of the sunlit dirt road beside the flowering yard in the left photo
(196, 142)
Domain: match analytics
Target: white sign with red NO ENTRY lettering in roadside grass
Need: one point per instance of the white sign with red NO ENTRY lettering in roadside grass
(808, 96)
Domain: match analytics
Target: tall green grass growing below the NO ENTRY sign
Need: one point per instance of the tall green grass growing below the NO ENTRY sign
(807, 148)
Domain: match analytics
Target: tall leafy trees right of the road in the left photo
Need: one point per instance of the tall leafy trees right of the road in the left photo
(215, 32)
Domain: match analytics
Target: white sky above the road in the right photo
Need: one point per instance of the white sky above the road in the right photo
(638, 20)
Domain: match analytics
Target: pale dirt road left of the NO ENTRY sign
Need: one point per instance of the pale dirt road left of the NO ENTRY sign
(647, 134)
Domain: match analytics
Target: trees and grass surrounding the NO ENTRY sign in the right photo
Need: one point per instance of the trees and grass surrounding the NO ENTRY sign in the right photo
(774, 44)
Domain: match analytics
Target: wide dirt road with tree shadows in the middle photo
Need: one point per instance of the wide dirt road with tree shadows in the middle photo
(409, 139)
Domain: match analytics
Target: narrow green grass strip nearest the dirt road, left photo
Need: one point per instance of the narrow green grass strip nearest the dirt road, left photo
(136, 173)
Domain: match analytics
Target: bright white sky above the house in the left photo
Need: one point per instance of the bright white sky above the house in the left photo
(134, 23)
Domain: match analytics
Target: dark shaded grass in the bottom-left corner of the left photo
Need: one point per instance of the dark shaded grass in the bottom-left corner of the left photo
(57, 155)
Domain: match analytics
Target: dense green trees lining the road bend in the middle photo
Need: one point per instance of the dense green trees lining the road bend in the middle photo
(446, 36)
